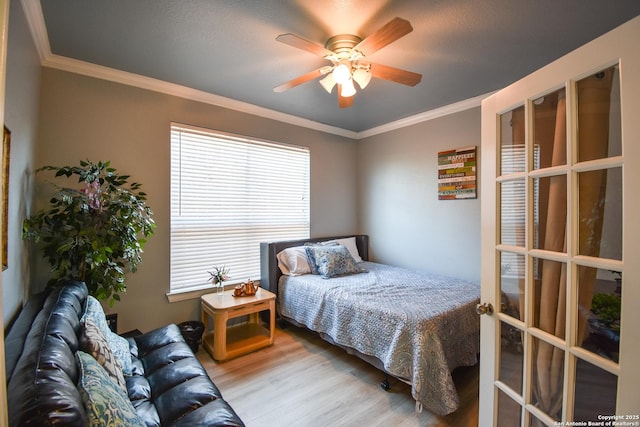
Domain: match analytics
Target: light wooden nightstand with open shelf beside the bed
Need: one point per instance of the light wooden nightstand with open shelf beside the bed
(225, 342)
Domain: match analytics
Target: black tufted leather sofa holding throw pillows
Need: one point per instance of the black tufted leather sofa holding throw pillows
(168, 385)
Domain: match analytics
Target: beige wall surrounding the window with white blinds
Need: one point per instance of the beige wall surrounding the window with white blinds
(83, 117)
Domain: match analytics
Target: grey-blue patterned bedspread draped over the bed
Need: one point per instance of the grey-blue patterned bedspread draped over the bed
(420, 326)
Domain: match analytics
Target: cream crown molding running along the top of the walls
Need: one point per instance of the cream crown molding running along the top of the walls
(35, 20)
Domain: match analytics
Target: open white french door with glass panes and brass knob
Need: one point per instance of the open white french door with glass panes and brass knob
(560, 171)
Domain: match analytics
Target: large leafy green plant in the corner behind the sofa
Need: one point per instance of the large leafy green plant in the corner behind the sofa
(94, 232)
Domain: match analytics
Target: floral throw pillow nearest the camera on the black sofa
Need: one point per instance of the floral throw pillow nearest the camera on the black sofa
(105, 403)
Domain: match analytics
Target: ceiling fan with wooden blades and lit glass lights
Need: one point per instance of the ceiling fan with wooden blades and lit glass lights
(348, 54)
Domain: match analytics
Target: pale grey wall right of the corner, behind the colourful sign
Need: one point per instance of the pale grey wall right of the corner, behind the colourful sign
(398, 198)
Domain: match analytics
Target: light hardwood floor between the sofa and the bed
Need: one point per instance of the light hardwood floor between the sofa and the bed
(303, 381)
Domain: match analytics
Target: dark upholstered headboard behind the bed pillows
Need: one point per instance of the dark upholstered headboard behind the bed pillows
(269, 271)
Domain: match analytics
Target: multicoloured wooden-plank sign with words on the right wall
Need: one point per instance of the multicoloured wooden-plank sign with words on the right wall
(457, 174)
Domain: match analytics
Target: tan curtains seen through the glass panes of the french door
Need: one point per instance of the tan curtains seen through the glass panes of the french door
(593, 130)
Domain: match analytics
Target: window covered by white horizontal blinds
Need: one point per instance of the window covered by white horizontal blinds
(228, 194)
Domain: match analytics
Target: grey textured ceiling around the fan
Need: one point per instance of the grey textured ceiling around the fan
(463, 48)
